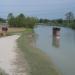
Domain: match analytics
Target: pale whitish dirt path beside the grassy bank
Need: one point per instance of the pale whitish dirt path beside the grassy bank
(10, 60)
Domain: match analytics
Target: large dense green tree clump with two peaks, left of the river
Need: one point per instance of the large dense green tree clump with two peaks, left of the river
(21, 21)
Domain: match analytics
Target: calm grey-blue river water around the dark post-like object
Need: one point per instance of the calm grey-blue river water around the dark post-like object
(62, 50)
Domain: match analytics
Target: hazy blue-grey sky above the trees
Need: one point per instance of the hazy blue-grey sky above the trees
(50, 9)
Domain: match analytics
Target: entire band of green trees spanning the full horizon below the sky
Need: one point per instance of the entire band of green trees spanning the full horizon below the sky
(29, 22)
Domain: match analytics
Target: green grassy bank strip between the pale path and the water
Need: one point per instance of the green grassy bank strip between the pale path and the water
(38, 62)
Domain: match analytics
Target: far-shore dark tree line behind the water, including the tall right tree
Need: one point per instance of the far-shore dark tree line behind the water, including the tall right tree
(68, 21)
